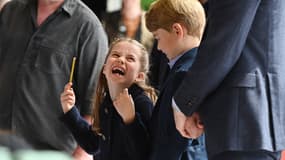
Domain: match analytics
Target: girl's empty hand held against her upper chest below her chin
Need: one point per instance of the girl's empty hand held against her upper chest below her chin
(124, 105)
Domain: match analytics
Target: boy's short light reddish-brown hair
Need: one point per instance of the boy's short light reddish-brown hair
(164, 13)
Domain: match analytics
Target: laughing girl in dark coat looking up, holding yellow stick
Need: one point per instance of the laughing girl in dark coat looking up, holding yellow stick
(123, 106)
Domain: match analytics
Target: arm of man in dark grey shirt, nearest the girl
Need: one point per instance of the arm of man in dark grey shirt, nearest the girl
(92, 51)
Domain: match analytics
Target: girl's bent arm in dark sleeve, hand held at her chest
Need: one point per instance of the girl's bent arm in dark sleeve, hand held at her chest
(136, 132)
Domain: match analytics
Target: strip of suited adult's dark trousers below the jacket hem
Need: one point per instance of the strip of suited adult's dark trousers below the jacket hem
(250, 155)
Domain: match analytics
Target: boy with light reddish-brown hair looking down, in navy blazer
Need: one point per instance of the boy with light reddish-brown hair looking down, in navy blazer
(177, 25)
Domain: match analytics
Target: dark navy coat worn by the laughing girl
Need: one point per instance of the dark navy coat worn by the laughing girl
(118, 140)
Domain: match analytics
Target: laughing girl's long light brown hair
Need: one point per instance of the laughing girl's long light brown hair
(102, 86)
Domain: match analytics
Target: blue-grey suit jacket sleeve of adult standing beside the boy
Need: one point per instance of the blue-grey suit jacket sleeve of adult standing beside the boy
(229, 23)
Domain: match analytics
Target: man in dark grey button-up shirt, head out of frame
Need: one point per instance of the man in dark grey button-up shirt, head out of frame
(38, 41)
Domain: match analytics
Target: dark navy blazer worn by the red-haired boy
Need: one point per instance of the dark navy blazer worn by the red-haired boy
(167, 143)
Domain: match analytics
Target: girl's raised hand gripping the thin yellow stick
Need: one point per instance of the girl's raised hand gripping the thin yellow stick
(67, 98)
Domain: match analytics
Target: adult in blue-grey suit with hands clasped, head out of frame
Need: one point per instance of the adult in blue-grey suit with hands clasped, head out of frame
(237, 82)
